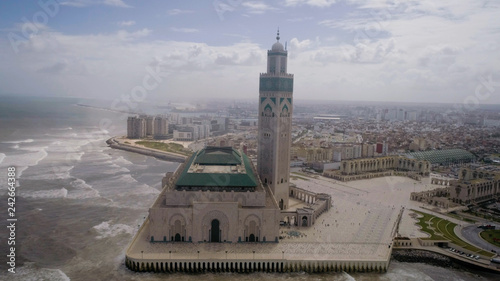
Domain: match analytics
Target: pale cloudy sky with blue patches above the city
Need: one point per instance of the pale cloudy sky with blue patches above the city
(371, 50)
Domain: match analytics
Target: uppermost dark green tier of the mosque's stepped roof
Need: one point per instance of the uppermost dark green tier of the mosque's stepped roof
(218, 156)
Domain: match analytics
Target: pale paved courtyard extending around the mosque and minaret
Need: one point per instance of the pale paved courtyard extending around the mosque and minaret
(359, 226)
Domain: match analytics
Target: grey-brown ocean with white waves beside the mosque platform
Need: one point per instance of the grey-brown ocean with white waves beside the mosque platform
(79, 202)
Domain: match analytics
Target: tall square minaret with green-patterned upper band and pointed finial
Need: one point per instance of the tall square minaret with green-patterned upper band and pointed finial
(275, 123)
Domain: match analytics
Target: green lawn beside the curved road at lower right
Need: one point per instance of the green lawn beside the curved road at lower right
(440, 229)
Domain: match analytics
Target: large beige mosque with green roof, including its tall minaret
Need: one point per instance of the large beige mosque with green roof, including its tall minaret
(218, 195)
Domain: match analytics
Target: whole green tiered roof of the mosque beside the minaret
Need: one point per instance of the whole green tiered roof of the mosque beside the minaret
(217, 156)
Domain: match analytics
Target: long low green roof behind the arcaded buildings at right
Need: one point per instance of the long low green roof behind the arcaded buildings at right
(443, 156)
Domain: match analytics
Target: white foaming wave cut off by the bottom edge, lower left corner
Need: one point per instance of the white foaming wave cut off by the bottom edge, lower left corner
(30, 272)
